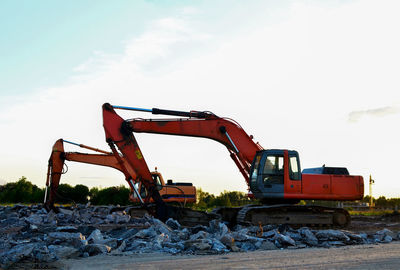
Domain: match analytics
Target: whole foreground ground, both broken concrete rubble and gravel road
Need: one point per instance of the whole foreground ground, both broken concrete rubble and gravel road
(106, 237)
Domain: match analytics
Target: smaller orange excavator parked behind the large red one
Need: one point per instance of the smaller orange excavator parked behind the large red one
(170, 192)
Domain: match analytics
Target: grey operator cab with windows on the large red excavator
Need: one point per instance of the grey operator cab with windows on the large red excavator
(270, 172)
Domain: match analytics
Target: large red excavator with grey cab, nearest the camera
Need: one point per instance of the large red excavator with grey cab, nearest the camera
(273, 176)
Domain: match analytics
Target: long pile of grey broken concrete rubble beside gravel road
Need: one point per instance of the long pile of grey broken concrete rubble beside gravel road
(30, 234)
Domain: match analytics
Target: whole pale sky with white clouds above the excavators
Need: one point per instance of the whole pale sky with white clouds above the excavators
(319, 77)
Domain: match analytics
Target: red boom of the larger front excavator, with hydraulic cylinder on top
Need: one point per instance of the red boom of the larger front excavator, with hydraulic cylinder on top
(241, 147)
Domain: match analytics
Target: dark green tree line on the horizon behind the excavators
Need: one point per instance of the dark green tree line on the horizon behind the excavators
(23, 191)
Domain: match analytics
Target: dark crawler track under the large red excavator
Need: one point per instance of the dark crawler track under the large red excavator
(294, 215)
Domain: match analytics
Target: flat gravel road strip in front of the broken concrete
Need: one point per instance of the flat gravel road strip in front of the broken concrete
(381, 256)
